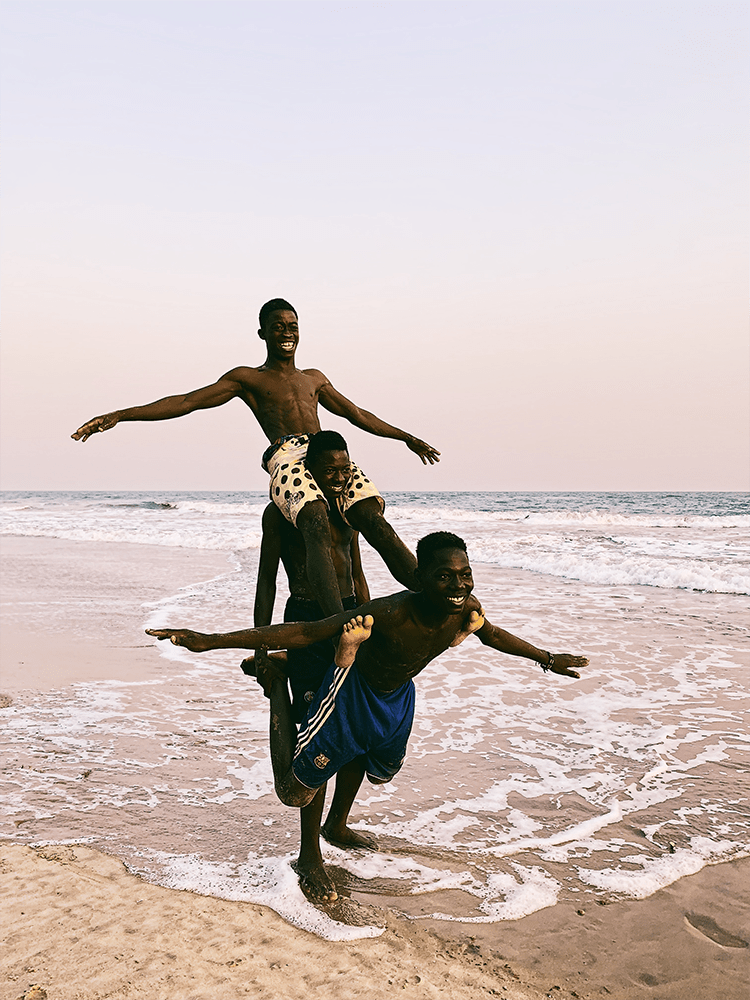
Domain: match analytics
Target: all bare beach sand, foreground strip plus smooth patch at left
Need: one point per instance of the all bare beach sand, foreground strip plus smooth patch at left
(77, 924)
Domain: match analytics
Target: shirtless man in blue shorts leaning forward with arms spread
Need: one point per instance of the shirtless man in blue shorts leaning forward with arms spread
(364, 713)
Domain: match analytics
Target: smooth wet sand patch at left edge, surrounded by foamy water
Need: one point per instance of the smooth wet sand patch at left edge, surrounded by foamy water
(53, 592)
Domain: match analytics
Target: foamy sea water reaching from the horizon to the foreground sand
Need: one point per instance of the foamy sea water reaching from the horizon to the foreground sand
(520, 789)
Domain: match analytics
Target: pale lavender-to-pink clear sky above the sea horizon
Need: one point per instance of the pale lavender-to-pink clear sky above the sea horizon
(516, 229)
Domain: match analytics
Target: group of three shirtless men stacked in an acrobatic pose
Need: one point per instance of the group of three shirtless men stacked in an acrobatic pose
(354, 704)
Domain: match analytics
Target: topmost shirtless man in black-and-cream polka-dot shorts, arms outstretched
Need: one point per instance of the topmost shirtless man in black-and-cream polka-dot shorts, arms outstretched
(285, 402)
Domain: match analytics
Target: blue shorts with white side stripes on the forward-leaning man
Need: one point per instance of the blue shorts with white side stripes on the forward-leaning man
(349, 719)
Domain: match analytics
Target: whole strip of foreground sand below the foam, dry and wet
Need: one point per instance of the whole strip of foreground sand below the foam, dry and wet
(76, 922)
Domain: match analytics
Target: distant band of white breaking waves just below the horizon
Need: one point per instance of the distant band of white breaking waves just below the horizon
(629, 542)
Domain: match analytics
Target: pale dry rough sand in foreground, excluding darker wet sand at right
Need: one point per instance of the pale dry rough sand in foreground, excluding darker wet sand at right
(78, 925)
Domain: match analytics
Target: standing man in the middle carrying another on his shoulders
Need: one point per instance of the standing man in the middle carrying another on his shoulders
(328, 461)
